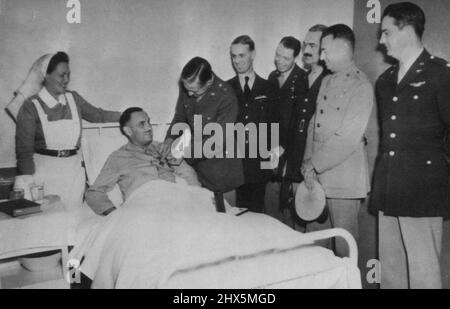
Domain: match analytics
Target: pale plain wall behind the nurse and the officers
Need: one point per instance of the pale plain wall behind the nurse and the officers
(130, 53)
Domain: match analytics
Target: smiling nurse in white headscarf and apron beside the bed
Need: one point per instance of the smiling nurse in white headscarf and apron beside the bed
(48, 134)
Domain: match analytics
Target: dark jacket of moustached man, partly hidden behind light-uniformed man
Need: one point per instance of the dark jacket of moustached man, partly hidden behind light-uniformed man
(298, 130)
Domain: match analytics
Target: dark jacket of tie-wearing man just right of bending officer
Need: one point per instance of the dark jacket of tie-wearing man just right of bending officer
(260, 108)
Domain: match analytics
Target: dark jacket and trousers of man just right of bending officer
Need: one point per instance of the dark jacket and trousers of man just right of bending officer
(256, 107)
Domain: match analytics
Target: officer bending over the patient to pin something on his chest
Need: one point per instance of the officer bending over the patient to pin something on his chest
(202, 93)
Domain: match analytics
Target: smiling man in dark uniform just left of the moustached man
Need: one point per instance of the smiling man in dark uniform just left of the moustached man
(291, 84)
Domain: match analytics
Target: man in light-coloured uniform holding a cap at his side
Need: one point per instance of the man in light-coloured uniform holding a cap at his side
(336, 152)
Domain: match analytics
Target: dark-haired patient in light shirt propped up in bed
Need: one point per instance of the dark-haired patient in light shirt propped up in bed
(135, 164)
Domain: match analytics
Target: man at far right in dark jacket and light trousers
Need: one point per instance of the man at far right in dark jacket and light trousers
(411, 191)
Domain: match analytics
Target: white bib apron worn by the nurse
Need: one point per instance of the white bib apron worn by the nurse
(61, 176)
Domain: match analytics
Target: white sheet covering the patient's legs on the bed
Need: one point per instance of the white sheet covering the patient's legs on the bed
(159, 234)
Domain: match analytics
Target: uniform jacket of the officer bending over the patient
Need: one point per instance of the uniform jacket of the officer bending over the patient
(217, 105)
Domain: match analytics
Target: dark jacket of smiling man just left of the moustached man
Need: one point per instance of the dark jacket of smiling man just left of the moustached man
(291, 94)
